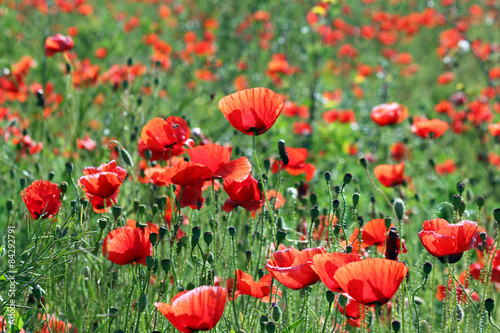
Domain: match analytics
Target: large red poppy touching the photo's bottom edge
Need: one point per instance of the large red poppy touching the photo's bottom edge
(199, 309)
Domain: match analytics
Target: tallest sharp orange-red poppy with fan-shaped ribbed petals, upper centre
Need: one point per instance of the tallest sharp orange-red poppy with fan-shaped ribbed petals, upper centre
(252, 111)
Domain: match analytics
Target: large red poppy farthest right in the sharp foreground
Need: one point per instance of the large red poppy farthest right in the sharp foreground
(448, 241)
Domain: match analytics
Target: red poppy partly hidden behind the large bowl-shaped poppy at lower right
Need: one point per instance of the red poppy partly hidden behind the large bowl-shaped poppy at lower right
(326, 264)
